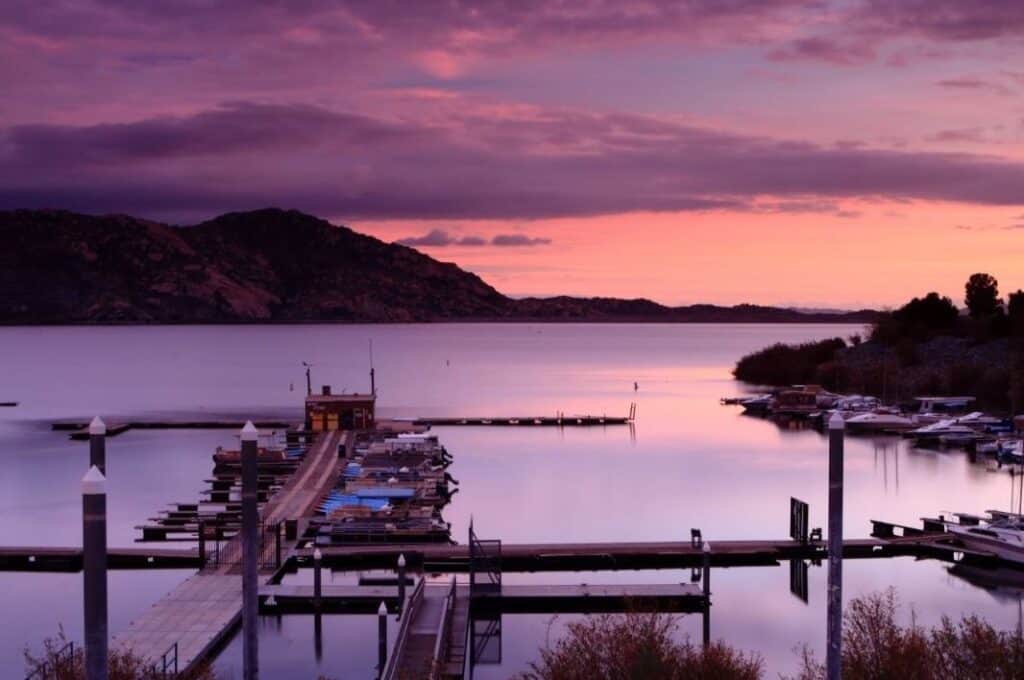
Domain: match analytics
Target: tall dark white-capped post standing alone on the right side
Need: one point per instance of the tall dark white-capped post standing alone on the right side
(834, 662)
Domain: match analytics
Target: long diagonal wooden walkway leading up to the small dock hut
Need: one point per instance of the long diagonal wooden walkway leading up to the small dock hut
(198, 615)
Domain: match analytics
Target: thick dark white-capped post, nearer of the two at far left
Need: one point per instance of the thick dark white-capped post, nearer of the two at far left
(95, 573)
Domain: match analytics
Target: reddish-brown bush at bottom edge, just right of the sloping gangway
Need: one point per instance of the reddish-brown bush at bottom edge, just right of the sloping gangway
(637, 647)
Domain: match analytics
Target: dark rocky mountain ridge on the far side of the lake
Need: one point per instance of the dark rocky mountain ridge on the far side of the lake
(274, 266)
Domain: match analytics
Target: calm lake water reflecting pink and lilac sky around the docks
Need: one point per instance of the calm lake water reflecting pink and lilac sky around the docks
(690, 462)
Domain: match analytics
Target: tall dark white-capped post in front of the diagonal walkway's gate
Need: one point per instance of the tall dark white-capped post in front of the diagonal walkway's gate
(250, 555)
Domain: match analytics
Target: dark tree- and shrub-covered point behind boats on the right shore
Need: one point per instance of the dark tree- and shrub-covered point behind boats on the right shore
(927, 347)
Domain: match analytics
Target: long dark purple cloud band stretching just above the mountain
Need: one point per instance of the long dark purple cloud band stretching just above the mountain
(470, 164)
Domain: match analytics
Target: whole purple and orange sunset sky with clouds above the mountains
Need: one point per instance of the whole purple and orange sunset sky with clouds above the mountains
(815, 153)
